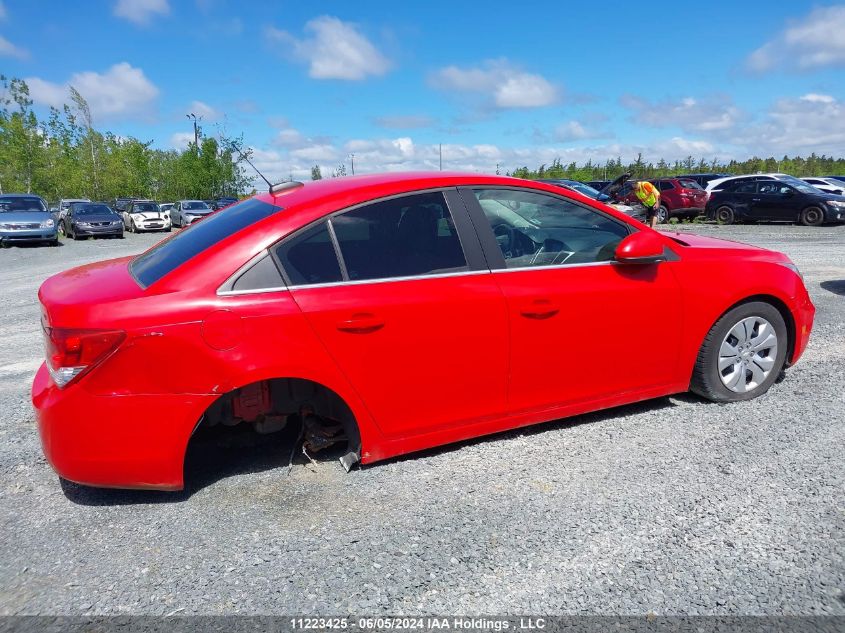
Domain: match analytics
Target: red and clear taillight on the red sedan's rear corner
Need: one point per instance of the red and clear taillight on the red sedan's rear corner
(73, 352)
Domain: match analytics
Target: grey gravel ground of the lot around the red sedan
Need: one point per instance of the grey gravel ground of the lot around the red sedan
(673, 506)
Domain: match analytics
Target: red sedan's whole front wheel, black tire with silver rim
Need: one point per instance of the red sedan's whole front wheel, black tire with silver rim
(742, 355)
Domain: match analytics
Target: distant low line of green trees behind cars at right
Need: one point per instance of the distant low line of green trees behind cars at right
(813, 165)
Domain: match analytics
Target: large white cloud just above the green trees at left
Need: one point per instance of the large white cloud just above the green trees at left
(122, 91)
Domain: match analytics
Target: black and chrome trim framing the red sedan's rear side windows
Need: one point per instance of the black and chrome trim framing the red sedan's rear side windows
(467, 238)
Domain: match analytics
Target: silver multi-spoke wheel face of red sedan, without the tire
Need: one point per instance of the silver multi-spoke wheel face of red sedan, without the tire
(747, 354)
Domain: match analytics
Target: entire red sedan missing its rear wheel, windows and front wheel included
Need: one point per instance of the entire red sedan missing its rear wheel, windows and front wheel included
(398, 312)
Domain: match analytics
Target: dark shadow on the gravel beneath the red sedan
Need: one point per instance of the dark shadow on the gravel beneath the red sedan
(242, 452)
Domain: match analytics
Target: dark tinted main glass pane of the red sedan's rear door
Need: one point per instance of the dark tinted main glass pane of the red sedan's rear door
(402, 237)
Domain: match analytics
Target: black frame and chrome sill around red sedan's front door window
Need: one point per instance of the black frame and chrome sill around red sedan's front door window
(491, 247)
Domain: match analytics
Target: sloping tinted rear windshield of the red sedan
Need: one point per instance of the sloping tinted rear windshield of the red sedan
(151, 266)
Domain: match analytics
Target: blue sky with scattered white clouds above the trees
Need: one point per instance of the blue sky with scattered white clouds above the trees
(393, 86)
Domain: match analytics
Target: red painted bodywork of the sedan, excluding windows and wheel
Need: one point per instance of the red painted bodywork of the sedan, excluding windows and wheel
(418, 361)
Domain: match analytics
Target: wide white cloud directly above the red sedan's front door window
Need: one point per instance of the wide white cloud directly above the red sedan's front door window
(500, 83)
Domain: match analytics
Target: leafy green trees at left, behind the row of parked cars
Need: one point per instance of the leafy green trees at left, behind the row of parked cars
(64, 156)
